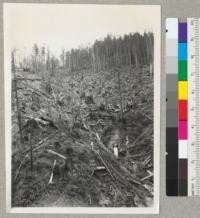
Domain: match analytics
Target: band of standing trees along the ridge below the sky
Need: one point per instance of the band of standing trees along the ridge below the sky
(129, 50)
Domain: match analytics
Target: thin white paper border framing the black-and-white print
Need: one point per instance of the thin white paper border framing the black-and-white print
(83, 210)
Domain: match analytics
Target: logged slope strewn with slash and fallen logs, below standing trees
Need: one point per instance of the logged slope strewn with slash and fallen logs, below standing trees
(93, 155)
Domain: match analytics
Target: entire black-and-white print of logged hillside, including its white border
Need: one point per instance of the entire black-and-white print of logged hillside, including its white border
(82, 102)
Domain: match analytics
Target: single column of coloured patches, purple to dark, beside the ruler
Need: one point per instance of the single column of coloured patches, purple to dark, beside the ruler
(182, 110)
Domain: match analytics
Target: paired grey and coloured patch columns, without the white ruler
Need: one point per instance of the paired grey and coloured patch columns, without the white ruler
(177, 104)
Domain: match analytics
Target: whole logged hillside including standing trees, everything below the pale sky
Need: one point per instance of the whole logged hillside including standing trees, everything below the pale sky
(69, 114)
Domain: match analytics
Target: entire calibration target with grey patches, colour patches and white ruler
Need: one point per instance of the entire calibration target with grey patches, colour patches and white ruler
(183, 107)
